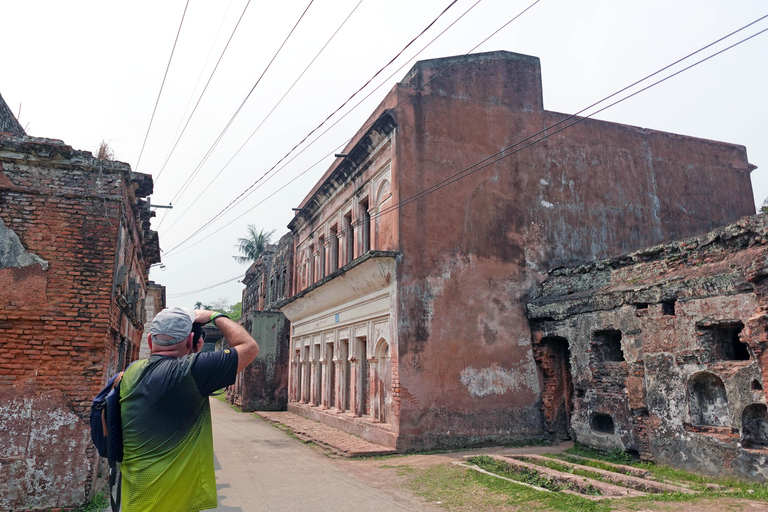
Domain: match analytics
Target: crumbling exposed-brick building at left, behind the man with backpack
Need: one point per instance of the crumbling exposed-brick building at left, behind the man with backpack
(75, 247)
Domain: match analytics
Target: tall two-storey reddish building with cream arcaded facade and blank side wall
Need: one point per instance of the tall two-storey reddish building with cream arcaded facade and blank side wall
(407, 310)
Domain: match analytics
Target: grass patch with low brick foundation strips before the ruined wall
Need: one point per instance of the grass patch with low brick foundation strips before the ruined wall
(458, 489)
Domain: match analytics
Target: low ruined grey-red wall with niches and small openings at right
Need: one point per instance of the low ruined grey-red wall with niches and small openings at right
(663, 351)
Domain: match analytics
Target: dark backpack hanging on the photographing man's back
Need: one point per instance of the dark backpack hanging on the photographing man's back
(107, 432)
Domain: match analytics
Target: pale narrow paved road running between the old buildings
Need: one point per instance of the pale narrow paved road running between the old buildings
(260, 468)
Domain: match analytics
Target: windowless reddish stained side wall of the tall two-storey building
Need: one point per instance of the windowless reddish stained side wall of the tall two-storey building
(475, 249)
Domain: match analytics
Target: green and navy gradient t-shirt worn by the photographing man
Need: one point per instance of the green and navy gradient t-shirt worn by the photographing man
(167, 437)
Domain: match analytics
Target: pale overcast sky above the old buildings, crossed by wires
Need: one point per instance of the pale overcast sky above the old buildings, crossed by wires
(87, 71)
